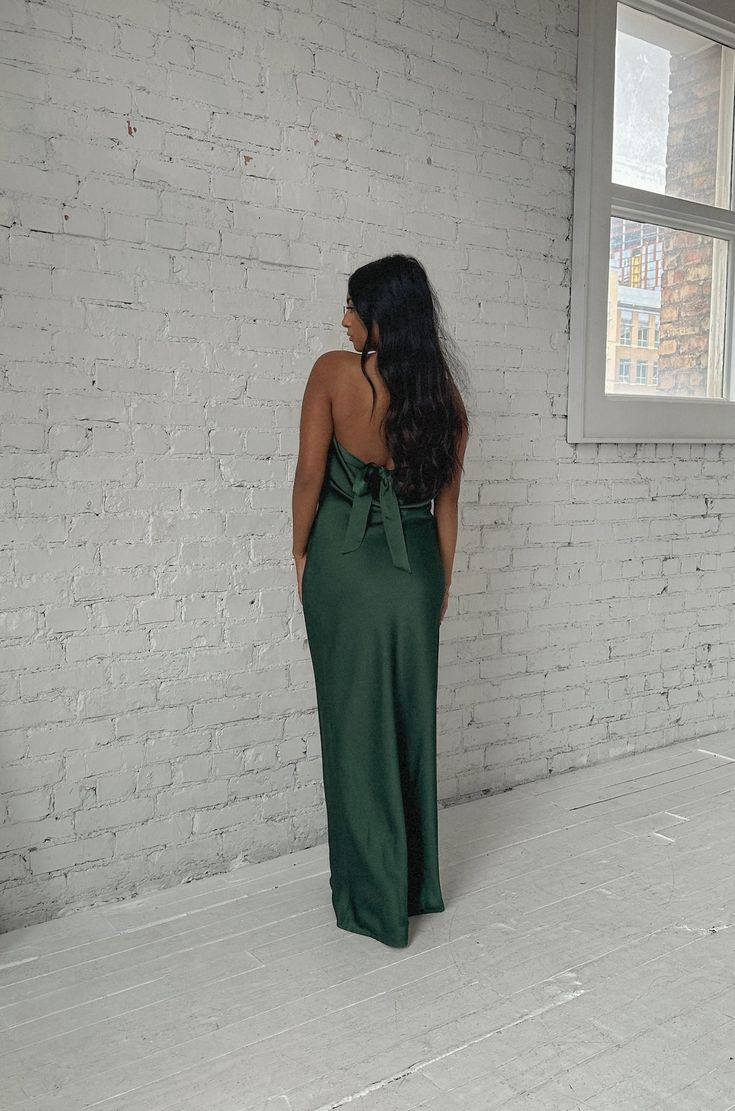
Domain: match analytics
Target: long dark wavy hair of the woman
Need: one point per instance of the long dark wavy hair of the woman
(420, 365)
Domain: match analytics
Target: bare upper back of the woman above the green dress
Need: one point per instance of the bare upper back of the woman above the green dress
(353, 398)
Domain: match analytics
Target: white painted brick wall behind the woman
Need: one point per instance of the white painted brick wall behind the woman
(185, 196)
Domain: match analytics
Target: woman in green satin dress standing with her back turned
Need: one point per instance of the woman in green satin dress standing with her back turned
(382, 435)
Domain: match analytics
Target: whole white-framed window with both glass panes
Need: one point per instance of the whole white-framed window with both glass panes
(653, 251)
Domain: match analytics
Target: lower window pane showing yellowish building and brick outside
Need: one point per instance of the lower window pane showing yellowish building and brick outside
(666, 312)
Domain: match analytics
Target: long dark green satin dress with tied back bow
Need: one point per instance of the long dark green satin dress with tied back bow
(372, 592)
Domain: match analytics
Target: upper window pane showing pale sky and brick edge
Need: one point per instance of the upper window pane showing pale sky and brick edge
(668, 134)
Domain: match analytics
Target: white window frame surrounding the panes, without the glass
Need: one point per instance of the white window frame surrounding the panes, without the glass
(596, 417)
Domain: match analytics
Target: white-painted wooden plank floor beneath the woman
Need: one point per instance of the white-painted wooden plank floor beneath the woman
(586, 960)
